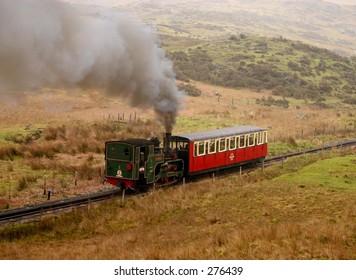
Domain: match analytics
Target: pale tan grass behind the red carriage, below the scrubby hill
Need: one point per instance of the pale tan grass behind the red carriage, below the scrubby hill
(301, 121)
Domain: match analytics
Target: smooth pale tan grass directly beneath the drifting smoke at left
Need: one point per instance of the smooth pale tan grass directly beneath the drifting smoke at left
(55, 107)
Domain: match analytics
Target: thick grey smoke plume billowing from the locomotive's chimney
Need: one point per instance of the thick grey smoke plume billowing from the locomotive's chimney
(51, 43)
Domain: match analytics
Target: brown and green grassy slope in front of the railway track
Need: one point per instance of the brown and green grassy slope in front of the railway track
(257, 216)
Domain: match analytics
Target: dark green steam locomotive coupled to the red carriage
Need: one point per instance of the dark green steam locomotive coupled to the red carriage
(135, 163)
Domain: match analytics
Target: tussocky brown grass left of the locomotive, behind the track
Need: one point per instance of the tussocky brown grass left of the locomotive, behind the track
(65, 154)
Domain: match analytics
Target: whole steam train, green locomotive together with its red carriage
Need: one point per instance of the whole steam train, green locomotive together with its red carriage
(138, 163)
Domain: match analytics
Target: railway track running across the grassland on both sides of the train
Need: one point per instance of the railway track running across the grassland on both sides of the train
(31, 213)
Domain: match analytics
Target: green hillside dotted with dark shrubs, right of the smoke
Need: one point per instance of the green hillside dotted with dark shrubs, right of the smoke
(288, 68)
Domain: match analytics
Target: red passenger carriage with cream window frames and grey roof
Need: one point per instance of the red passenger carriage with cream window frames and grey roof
(221, 148)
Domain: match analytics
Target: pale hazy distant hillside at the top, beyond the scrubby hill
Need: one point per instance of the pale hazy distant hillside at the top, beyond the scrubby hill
(316, 22)
